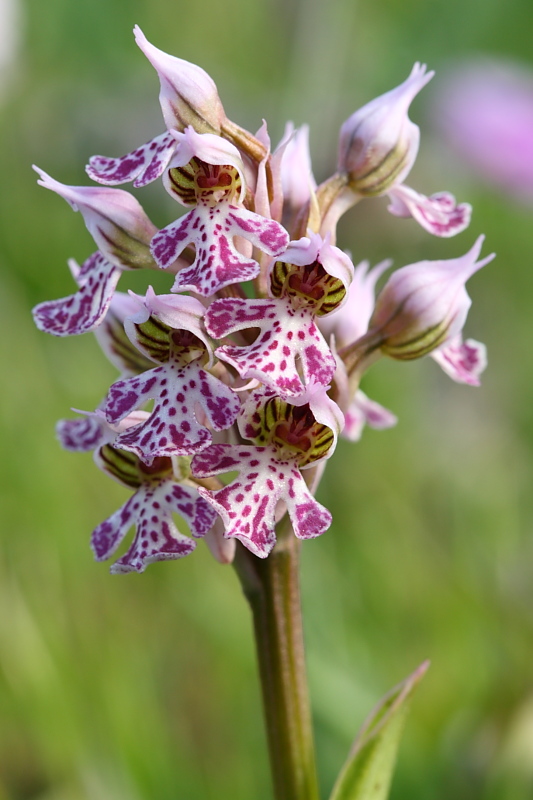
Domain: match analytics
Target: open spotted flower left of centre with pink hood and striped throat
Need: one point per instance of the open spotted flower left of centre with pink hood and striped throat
(186, 396)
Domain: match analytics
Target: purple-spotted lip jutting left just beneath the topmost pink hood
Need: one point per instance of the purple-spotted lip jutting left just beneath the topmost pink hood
(142, 166)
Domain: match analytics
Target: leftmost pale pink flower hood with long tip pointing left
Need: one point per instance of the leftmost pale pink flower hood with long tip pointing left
(114, 218)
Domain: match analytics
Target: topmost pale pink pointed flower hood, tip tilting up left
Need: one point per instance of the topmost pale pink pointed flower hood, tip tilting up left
(188, 94)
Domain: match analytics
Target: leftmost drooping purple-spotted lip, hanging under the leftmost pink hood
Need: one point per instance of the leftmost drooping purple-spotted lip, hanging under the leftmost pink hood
(85, 310)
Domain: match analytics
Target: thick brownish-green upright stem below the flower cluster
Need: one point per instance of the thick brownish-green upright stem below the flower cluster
(272, 589)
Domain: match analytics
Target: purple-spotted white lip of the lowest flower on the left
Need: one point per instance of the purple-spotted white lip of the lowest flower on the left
(156, 539)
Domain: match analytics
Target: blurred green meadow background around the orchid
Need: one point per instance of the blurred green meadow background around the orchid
(143, 688)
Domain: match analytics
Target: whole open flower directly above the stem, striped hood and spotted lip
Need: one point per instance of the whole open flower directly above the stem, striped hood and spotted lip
(269, 473)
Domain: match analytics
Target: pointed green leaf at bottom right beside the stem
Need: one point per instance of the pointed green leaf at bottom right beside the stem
(367, 773)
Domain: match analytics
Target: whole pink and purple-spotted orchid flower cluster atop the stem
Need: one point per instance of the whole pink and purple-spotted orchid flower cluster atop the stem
(235, 385)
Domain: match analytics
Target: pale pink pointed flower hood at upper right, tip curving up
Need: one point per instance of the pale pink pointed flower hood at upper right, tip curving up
(378, 143)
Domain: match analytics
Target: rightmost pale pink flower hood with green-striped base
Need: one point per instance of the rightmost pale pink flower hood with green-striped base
(424, 305)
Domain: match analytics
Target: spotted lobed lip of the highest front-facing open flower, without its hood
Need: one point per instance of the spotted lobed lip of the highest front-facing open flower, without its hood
(211, 229)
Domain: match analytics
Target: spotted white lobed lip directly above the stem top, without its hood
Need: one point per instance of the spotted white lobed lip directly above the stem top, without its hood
(247, 505)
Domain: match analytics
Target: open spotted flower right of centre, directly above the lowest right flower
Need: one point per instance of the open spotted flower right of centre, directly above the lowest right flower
(290, 351)
